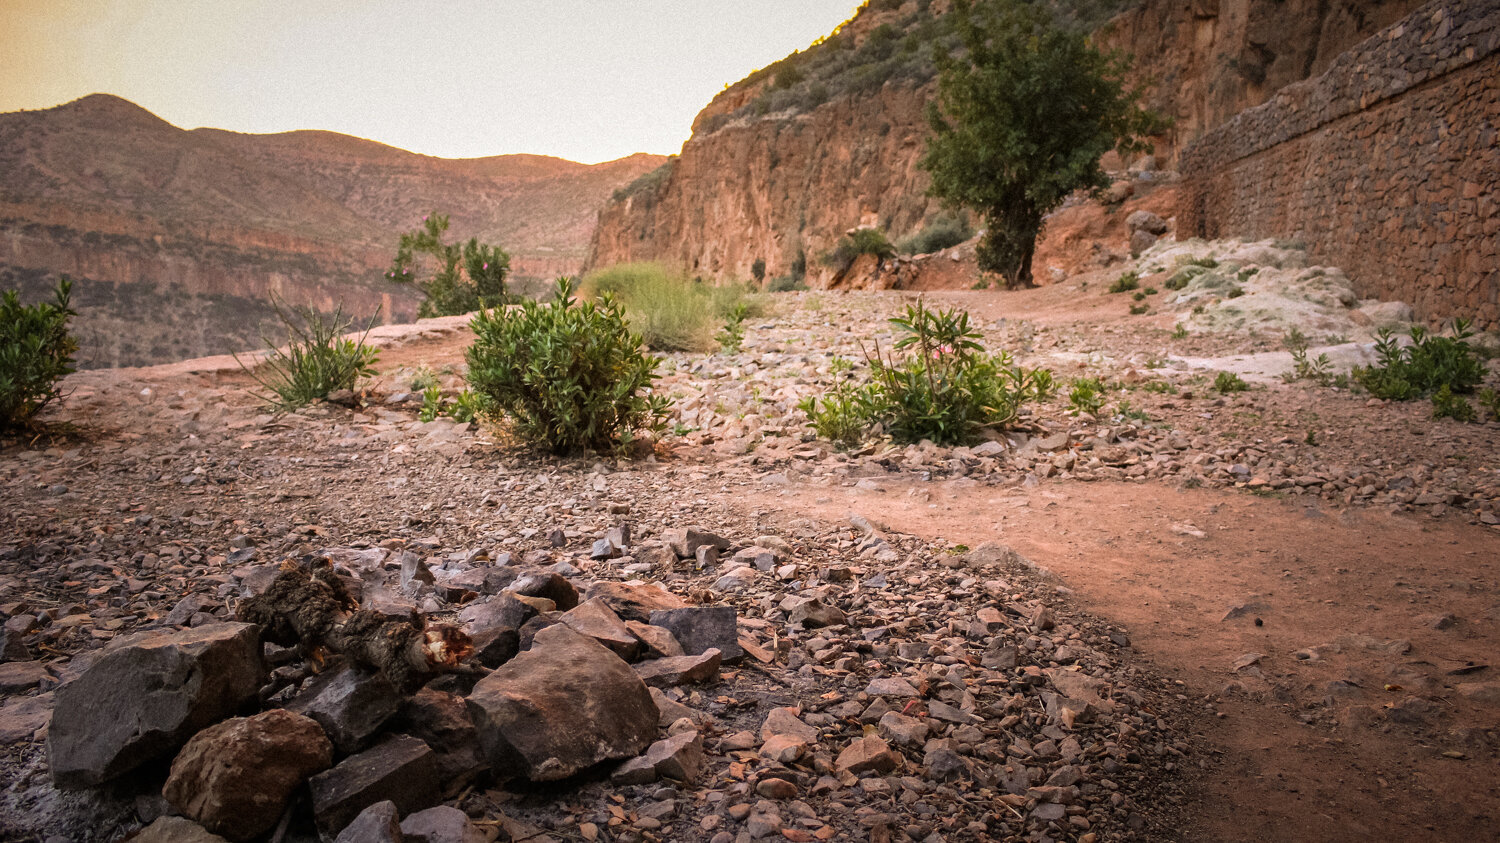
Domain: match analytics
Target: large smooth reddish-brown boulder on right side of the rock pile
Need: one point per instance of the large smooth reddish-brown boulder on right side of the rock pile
(562, 707)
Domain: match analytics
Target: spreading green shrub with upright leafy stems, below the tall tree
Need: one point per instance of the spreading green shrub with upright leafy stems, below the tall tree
(944, 388)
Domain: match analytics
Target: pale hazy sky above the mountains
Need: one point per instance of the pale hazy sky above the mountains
(584, 80)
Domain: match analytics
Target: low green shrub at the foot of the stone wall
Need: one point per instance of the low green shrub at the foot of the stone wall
(1430, 364)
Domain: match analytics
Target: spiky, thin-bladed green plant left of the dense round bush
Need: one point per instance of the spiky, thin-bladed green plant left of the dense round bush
(317, 361)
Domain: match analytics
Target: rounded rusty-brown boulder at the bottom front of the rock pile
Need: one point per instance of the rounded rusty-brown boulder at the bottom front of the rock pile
(236, 778)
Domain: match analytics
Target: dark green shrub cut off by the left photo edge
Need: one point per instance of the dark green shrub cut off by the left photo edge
(35, 353)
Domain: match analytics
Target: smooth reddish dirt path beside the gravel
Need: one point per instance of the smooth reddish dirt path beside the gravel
(1303, 749)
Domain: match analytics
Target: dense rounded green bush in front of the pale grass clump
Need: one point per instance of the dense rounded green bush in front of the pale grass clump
(569, 376)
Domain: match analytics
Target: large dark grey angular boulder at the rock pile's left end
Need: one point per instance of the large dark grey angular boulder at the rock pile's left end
(146, 697)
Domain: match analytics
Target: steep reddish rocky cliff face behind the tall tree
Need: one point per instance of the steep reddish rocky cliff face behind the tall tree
(775, 172)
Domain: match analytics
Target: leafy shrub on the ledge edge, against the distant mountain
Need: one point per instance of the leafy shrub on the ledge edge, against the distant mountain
(466, 278)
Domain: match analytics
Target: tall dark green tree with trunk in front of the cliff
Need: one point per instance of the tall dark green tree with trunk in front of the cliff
(1022, 116)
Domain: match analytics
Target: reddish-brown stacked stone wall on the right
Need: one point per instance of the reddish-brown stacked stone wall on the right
(1387, 166)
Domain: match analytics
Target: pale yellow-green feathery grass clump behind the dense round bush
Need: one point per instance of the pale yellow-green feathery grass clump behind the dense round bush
(670, 311)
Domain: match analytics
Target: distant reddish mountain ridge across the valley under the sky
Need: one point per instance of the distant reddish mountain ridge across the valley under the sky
(178, 238)
